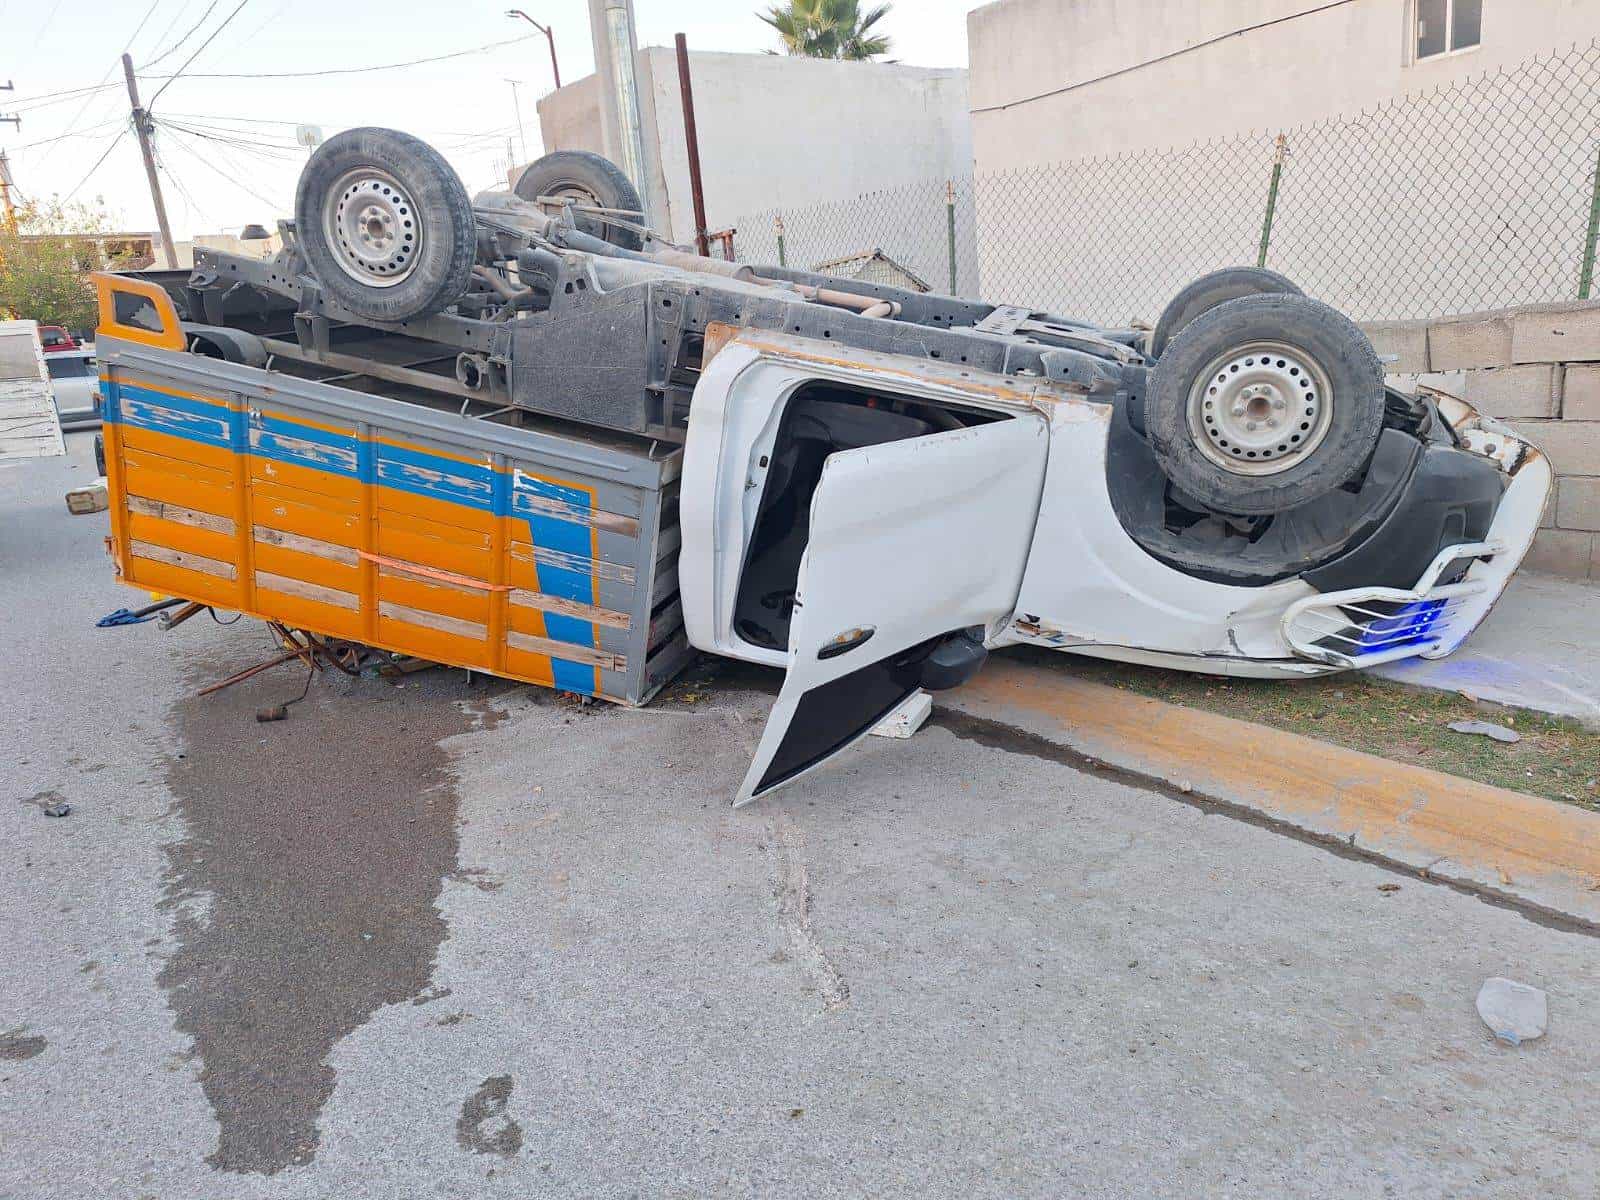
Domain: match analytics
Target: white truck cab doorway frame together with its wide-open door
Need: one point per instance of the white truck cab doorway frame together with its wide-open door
(866, 530)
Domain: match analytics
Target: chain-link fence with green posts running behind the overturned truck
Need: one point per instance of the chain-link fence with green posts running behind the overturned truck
(1474, 196)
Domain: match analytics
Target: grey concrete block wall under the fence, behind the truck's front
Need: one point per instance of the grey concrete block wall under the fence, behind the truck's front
(1537, 369)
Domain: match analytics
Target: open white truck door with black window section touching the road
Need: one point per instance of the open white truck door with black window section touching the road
(918, 550)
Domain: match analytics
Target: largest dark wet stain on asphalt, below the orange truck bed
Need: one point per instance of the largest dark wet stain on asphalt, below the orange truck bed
(305, 892)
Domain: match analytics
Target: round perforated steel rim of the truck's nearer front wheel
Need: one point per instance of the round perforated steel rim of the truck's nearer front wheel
(1262, 409)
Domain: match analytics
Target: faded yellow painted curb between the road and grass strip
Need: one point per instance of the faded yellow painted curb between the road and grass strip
(1506, 841)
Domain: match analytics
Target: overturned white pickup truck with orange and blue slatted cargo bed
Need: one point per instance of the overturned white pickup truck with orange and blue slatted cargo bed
(524, 434)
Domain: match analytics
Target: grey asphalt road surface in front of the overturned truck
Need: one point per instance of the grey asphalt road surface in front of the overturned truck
(463, 940)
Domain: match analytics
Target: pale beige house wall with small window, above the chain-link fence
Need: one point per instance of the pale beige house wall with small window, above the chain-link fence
(1058, 81)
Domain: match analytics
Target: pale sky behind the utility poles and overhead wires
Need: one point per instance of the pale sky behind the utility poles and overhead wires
(238, 161)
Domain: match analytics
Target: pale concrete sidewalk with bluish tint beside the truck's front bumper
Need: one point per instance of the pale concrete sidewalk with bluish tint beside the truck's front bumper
(1540, 649)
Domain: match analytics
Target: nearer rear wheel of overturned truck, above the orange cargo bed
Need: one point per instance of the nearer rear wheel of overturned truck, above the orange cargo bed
(426, 236)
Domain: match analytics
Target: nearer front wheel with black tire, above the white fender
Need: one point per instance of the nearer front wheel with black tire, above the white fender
(1265, 351)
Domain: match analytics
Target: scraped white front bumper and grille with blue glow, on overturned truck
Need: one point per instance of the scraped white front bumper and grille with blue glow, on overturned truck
(1367, 626)
